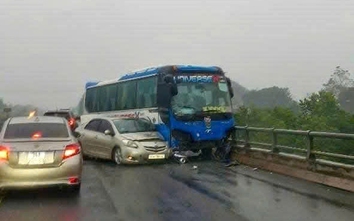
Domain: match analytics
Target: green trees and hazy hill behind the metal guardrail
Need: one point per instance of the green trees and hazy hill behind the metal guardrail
(329, 110)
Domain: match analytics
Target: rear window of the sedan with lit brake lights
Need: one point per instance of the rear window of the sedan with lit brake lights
(36, 130)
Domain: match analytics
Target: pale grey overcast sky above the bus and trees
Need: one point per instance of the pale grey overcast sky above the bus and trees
(49, 49)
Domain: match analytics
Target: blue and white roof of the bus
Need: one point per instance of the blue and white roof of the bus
(151, 71)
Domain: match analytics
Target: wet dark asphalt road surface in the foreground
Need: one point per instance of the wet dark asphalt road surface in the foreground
(178, 192)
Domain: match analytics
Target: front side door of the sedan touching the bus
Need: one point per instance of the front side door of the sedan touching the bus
(105, 143)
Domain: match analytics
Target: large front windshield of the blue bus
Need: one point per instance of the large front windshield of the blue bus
(201, 98)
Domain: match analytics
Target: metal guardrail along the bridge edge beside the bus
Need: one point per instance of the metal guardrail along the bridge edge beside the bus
(275, 148)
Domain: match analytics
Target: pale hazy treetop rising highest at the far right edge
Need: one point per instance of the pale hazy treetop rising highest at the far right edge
(339, 80)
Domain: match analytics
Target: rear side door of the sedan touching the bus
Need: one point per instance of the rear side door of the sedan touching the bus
(88, 137)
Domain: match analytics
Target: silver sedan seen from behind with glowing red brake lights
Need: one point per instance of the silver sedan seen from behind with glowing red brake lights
(39, 151)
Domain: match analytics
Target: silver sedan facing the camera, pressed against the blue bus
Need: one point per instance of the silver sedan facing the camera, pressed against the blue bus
(123, 140)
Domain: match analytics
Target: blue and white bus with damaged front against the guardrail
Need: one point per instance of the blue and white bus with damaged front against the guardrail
(190, 105)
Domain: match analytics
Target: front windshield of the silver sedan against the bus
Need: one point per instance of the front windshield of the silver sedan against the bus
(133, 125)
